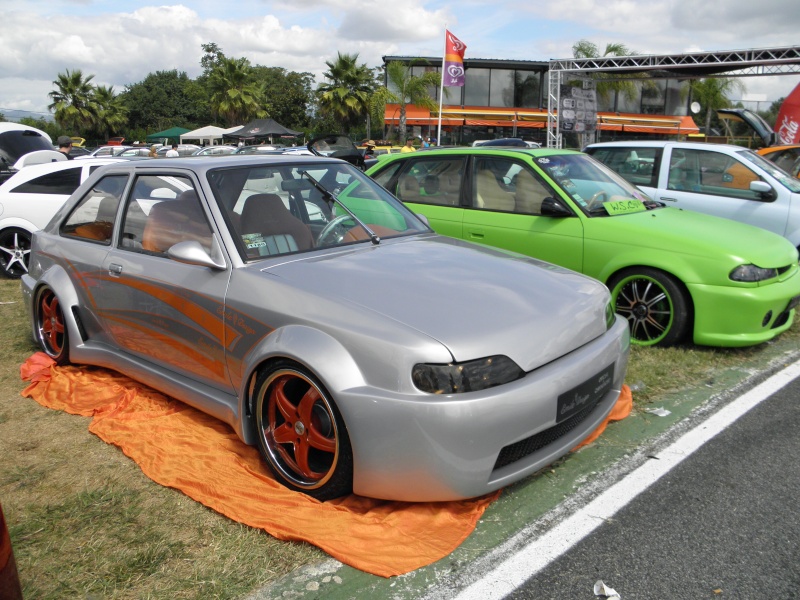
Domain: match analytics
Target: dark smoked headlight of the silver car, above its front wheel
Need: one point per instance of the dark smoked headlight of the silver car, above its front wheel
(471, 376)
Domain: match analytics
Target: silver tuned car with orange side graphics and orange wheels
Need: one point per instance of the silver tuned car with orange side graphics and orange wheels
(298, 301)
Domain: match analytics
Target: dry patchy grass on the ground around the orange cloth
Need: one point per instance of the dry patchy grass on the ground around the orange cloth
(86, 523)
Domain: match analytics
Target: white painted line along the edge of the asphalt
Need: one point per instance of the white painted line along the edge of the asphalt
(535, 556)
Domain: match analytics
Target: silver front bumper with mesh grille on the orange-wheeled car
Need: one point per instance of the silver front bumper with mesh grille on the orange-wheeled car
(445, 447)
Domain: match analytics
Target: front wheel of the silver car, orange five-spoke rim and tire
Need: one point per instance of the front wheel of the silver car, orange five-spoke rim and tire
(301, 434)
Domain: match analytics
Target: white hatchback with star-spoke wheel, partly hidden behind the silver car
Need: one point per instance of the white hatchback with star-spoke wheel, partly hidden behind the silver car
(29, 199)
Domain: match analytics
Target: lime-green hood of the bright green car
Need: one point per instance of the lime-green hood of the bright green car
(691, 233)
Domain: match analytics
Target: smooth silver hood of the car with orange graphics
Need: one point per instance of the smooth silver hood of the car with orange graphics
(430, 284)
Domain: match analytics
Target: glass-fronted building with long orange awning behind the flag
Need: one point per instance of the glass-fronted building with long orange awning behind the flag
(508, 98)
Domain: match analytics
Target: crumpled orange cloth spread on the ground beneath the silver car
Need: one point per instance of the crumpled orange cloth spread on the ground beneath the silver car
(180, 447)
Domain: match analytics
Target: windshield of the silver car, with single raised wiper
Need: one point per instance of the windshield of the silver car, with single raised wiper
(276, 209)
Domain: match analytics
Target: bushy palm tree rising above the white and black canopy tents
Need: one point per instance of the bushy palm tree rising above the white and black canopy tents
(236, 97)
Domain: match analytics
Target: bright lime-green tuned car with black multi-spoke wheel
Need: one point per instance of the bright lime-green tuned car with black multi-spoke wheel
(672, 273)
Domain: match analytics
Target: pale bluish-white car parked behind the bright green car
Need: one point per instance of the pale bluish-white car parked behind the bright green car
(717, 179)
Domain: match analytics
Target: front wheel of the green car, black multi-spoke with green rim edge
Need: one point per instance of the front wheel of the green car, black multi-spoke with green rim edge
(654, 303)
